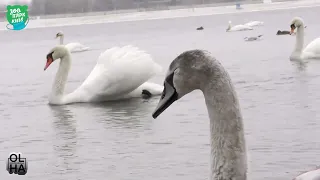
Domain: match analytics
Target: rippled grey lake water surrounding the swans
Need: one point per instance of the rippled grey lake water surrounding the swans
(121, 141)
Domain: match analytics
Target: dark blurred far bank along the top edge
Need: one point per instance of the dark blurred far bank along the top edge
(54, 7)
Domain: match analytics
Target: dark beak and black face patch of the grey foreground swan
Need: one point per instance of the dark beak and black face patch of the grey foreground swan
(169, 95)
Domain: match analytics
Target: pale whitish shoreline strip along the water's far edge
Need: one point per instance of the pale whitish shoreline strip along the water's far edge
(111, 17)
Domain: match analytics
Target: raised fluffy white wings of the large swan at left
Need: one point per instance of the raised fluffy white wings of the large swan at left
(119, 71)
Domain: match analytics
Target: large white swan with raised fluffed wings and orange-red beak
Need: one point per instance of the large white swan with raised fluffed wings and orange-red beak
(121, 72)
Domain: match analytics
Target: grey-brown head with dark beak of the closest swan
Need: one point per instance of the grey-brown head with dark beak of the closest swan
(186, 73)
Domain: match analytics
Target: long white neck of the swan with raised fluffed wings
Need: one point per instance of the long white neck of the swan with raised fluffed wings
(58, 86)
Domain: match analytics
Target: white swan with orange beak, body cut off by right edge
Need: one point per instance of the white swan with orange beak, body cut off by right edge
(311, 51)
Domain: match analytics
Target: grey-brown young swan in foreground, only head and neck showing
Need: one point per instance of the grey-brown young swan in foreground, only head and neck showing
(198, 70)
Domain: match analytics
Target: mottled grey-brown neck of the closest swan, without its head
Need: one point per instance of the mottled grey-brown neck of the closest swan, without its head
(228, 148)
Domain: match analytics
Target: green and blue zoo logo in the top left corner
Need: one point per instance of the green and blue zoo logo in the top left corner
(17, 16)
